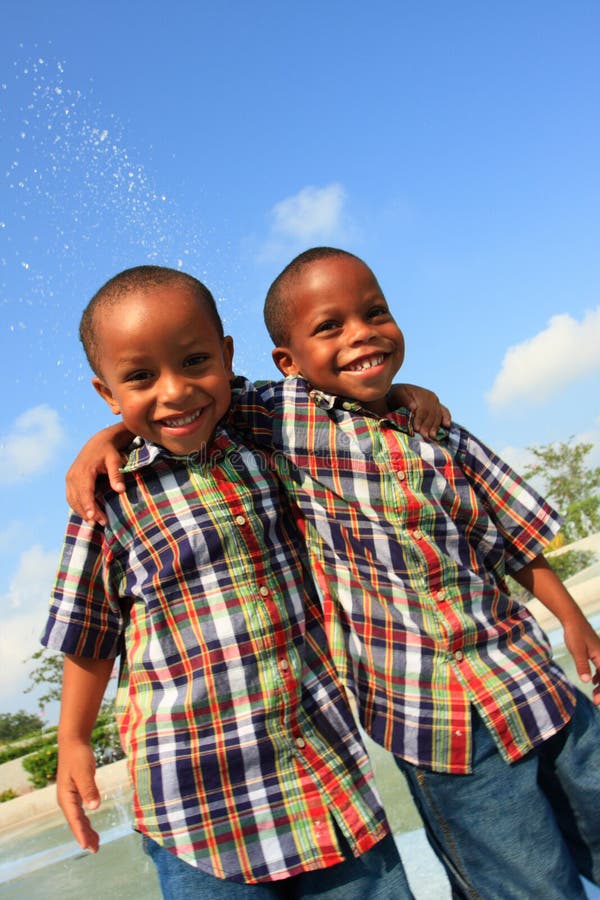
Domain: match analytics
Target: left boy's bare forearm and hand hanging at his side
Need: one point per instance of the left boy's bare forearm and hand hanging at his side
(84, 683)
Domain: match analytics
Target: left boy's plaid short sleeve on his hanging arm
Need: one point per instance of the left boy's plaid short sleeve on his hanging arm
(85, 617)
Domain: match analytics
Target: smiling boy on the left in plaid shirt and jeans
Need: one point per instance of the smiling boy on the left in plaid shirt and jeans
(249, 776)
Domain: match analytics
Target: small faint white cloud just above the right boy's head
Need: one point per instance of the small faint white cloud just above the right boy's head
(313, 215)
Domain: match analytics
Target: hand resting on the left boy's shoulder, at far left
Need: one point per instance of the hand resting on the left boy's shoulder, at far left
(100, 456)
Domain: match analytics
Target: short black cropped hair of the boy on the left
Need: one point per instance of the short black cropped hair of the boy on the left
(138, 278)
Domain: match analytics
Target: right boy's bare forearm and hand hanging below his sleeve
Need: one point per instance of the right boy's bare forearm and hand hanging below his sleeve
(581, 640)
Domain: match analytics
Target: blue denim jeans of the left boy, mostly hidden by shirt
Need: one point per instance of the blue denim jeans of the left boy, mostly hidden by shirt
(377, 875)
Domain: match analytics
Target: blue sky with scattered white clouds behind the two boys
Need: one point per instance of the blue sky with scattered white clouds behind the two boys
(454, 147)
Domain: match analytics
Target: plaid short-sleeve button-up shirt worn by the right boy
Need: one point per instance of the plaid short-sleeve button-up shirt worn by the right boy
(411, 540)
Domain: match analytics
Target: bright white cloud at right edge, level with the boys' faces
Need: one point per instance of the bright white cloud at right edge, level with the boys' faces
(536, 369)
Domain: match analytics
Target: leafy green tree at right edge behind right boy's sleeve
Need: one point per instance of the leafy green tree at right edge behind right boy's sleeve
(574, 489)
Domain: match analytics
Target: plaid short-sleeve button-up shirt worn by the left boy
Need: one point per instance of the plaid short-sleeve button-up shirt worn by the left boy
(242, 749)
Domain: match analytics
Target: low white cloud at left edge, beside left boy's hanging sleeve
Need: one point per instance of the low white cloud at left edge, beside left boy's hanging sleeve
(23, 609)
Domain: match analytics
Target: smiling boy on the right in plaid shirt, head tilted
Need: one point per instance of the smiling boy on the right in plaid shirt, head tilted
(412, 541)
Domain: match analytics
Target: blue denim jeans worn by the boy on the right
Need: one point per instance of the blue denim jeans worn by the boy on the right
(520, 831)
